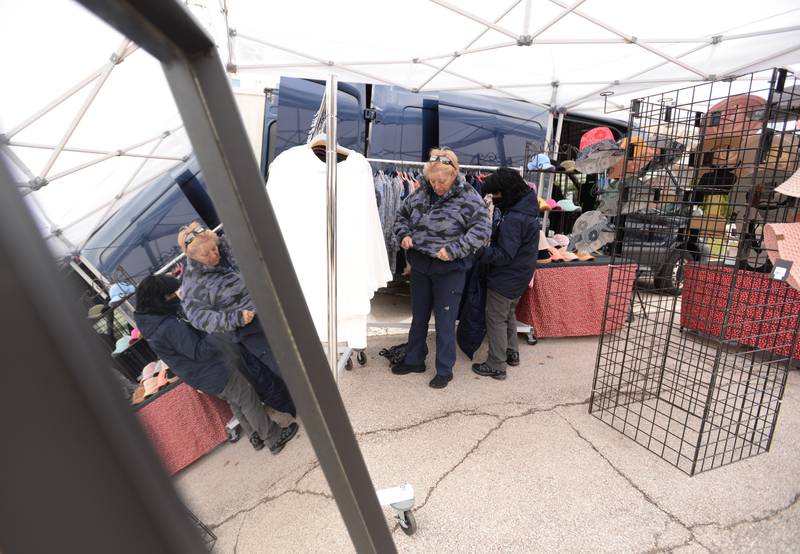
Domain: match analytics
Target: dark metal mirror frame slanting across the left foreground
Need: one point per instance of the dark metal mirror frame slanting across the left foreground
(198, 81)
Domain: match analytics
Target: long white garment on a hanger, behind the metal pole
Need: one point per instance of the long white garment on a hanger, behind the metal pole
(297, 189)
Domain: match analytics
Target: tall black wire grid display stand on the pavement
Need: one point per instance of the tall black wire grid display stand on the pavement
(694, 367)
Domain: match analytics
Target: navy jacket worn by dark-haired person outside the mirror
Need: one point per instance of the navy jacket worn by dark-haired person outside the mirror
(511, 258)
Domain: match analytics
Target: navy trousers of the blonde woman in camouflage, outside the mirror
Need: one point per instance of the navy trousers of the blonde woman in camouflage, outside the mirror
(440, 294)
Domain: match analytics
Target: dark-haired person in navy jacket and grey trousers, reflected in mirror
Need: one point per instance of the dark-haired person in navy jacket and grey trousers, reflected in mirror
(202, 361)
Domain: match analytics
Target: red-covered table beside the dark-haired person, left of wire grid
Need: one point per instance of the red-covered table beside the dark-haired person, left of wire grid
(568, 298)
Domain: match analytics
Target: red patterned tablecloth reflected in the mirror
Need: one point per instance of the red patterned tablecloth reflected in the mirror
(184, 424)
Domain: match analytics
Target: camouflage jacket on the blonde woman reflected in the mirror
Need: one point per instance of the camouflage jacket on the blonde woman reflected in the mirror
(214, 297)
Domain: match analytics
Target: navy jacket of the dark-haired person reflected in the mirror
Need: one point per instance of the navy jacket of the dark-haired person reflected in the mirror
(194, 356)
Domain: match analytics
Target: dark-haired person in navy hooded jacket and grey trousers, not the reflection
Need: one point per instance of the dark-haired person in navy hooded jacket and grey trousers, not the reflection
(510, 261)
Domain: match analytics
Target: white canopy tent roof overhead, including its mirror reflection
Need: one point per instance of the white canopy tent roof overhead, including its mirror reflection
(86, 118)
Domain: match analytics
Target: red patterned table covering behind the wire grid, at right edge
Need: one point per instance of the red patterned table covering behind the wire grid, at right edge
(763, 312)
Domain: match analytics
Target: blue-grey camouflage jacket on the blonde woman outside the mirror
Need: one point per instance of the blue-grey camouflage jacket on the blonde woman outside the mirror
(457, 221)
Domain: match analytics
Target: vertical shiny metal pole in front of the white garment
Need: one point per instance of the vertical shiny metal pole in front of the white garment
(331, 92)
